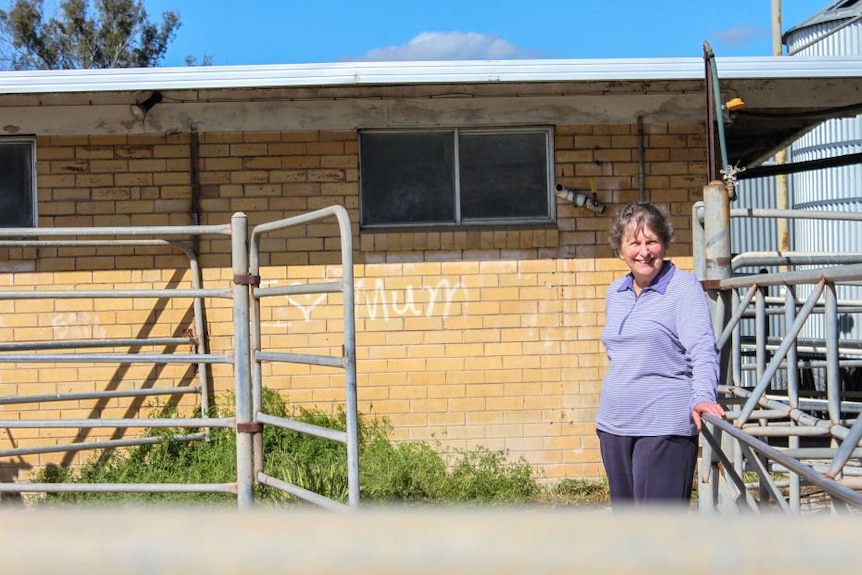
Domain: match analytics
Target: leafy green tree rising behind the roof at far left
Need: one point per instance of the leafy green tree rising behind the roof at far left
(84, 34)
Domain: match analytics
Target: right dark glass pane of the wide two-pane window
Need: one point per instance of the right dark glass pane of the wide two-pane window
(504, 175)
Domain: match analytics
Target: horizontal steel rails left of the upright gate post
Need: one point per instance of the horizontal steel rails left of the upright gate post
(66, 352)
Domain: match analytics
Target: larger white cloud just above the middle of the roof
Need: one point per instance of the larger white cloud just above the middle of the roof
(448, 46)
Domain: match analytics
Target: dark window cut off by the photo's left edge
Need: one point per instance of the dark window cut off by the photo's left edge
(17, 183)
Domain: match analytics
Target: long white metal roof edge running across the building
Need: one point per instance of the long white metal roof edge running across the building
(401, 73)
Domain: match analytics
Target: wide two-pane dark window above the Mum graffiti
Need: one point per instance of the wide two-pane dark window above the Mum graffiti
(453, 177)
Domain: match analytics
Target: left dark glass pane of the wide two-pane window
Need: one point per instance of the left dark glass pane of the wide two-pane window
(407, 178)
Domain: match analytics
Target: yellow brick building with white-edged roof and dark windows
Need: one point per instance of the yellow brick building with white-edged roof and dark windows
(479, 291)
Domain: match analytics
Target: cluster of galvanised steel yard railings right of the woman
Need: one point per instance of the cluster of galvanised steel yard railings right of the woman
(793, 439)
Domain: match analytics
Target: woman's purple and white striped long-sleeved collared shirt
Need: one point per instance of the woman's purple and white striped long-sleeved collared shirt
(663, 360)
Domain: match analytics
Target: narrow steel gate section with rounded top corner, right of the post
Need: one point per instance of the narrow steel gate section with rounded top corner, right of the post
(347, 360)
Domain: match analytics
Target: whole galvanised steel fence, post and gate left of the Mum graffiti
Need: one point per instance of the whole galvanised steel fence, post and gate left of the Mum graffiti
(245, 296)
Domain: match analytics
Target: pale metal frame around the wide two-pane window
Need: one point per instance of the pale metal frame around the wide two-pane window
(459, 222)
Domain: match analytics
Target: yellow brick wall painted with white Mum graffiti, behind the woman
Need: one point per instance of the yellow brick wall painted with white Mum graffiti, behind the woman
(467, 337)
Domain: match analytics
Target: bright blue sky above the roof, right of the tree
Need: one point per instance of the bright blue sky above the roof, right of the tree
(314, 31)
